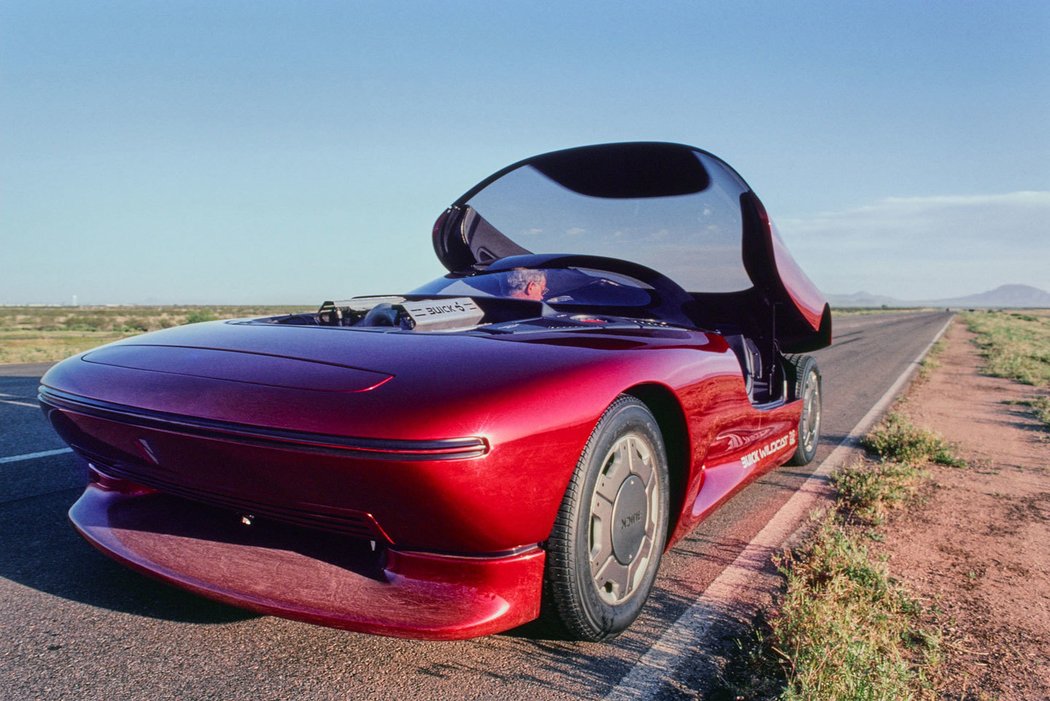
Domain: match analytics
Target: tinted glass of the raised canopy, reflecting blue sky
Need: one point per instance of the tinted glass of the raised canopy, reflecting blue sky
(692, 236)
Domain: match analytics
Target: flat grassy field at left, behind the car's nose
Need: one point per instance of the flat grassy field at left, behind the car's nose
(47, 334)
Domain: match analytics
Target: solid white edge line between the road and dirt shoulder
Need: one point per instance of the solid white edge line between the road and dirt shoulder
(680, 643)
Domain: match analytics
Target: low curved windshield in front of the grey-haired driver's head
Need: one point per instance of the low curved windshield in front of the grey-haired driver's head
(569, 286)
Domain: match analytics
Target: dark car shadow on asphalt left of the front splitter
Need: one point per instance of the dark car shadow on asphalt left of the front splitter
(40, 550)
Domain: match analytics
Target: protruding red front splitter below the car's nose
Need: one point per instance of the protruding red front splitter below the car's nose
(311, 577)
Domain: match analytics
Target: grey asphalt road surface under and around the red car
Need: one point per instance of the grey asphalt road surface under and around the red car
(77, 626)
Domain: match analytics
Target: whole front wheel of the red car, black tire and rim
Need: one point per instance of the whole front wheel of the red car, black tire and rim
(610, 536)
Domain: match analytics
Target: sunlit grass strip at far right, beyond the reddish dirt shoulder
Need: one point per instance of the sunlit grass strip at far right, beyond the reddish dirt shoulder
(1015, 346)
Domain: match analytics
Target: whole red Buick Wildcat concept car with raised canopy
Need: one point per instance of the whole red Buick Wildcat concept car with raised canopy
(604, 365)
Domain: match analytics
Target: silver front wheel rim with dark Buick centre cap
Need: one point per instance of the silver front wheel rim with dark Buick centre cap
(624, 519)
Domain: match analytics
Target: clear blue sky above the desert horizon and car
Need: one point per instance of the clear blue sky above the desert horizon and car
(274, 153)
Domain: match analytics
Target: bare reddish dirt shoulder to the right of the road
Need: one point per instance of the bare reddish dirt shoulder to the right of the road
(977, 547)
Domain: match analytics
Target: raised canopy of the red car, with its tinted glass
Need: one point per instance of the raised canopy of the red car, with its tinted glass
(673, 208)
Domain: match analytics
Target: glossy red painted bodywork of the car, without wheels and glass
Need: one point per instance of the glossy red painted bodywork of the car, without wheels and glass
(404, 482)
